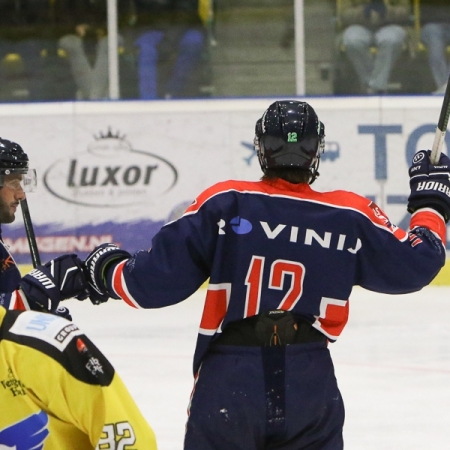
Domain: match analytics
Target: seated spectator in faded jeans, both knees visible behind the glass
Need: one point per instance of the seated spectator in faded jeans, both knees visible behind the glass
(378, 23)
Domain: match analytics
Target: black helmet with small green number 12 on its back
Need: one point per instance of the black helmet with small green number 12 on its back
(289, 134)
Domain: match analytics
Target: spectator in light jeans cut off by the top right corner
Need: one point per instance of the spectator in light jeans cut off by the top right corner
(435, 25)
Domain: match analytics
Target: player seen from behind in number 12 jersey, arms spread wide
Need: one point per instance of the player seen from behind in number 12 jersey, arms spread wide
(281, 259)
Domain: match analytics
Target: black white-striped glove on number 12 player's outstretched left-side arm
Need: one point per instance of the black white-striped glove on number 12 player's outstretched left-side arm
(96, 266)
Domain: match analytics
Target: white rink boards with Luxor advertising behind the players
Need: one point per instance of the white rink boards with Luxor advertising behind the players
(117, 171)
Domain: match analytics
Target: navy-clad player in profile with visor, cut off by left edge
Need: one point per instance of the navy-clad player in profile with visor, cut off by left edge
(44, 287)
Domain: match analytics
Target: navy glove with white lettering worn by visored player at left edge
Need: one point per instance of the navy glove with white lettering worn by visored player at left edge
(59, 279)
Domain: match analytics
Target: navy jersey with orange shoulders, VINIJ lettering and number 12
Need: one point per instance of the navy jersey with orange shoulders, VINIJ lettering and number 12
(275, 245)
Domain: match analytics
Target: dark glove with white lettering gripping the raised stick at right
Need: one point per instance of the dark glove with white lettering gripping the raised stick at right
(430, 184)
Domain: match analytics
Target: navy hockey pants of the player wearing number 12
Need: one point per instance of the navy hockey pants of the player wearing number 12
(264, 398)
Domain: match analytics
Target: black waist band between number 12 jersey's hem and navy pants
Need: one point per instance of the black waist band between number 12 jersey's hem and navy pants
(272, 328)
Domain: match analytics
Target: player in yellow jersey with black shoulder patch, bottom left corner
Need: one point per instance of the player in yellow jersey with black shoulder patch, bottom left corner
(59, 392)
